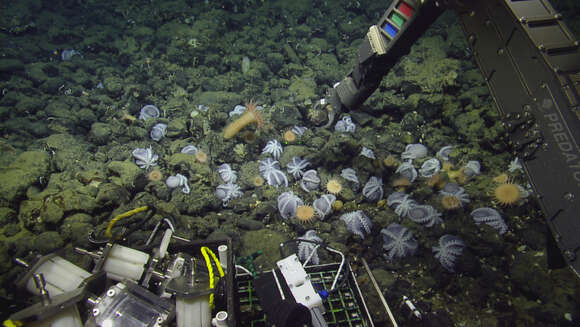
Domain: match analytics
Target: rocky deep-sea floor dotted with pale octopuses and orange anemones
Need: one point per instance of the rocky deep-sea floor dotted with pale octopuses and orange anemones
(107, 106)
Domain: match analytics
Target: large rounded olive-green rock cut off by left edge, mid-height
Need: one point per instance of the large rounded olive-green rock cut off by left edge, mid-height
(21, 174)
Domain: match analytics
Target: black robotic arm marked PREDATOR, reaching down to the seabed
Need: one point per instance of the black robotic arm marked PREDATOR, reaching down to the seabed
(531, 63)
